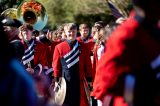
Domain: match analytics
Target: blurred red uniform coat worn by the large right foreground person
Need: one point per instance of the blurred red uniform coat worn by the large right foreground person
(128, 48)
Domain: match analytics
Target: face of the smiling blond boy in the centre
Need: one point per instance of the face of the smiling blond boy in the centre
(71, 34)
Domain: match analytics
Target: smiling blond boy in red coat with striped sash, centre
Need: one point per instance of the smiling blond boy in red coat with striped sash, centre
(70, 60)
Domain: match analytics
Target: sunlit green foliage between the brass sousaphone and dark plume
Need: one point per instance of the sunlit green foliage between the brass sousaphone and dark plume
(78, 11)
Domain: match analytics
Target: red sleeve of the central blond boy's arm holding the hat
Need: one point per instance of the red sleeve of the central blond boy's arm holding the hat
(56, 63)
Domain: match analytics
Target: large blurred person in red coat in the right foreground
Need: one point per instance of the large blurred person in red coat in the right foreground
(133, 45)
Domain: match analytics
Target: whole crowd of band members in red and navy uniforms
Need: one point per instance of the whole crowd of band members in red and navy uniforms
(118, 64)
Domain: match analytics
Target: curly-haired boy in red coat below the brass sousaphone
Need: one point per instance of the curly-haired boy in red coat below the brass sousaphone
(35, 52)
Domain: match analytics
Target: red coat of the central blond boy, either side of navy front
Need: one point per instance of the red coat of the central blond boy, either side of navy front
(84, 66)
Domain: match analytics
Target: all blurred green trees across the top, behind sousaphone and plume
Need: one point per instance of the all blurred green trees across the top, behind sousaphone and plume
(78, 11)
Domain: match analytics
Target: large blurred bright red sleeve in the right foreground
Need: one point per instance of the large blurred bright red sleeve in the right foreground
(114, 62)
